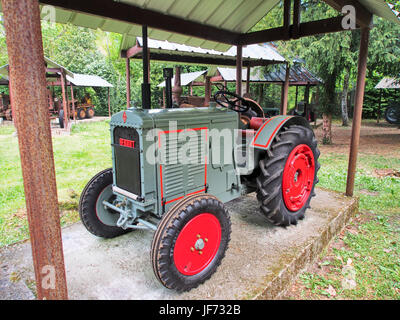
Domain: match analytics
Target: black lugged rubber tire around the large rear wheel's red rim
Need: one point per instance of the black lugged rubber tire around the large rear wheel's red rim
(269, 182)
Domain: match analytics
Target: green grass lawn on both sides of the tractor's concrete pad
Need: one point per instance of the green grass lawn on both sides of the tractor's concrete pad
(366, 254)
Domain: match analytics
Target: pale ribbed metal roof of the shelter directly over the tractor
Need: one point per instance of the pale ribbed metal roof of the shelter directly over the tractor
(227, 18)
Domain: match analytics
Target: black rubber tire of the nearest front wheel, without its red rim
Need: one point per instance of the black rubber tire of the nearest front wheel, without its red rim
(167, 233)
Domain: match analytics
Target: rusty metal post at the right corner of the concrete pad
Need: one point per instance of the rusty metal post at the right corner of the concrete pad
(358, 106)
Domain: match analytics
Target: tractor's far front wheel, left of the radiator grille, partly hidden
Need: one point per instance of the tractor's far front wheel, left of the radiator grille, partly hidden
(98, 219)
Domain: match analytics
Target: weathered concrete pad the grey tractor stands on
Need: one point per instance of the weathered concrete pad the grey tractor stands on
(261, 262)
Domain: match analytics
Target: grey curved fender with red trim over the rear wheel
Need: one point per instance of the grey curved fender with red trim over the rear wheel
(269, 130)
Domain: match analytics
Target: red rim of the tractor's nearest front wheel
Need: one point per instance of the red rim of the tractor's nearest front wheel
(197, 244)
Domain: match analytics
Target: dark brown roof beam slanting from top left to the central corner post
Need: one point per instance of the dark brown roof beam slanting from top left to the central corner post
(153, 19)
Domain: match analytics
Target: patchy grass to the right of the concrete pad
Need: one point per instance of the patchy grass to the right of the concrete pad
(363, 262)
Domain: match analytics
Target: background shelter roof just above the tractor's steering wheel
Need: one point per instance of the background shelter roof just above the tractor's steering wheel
(298, 75)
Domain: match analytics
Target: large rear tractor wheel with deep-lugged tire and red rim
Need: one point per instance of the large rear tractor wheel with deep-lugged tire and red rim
(288, 175)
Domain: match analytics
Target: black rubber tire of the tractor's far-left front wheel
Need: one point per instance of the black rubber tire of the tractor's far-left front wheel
(87, 206)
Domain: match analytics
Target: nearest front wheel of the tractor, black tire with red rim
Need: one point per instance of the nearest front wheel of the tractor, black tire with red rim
(190, 242)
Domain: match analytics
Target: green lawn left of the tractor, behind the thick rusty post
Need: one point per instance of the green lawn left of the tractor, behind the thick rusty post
(77, 157)
